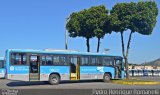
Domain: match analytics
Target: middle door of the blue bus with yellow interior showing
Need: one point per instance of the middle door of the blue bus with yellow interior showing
(74, 68)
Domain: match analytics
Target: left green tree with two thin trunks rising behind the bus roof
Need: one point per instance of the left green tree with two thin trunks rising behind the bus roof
(87, 23)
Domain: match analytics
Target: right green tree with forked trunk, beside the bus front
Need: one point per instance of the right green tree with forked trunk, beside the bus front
(137, 17)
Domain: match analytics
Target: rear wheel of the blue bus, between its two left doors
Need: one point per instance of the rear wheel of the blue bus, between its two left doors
(54, 79)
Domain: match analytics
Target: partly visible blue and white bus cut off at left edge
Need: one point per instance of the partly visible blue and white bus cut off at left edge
(2, 68)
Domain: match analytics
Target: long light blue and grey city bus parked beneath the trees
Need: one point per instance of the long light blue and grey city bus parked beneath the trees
(58, 65)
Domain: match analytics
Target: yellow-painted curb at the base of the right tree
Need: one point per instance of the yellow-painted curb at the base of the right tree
(136, 83)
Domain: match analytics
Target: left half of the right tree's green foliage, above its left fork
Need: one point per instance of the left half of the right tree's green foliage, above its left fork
(121, 15)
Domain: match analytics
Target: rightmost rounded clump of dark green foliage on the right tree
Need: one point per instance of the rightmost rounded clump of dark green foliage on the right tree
(145, 18)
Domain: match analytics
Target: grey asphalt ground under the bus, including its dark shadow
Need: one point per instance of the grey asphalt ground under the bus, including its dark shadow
(75, 85)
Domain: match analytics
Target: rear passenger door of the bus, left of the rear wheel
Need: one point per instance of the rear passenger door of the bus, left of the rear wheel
(34, 62)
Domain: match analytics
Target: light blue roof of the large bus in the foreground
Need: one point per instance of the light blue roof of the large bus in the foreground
(59, 52)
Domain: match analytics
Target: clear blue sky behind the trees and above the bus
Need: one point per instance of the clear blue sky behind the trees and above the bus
(40, 24)
